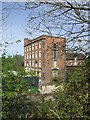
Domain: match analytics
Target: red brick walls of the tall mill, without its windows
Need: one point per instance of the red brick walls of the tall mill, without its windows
(47, 62)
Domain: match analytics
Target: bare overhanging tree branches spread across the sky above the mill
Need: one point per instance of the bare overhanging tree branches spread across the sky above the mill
(68, 19)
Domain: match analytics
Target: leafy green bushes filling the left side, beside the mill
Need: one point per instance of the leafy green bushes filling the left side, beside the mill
(16, 104)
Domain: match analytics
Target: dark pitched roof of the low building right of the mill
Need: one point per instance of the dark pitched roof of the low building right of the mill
(71, 56)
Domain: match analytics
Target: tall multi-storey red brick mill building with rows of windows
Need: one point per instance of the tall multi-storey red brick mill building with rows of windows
(46, 56)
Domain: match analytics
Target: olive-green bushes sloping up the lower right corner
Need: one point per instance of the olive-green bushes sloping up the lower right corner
(70, 100)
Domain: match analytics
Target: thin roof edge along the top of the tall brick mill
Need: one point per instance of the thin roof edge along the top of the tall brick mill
(40, 38)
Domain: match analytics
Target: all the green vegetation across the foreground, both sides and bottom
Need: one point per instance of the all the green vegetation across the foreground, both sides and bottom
(68, 103)
